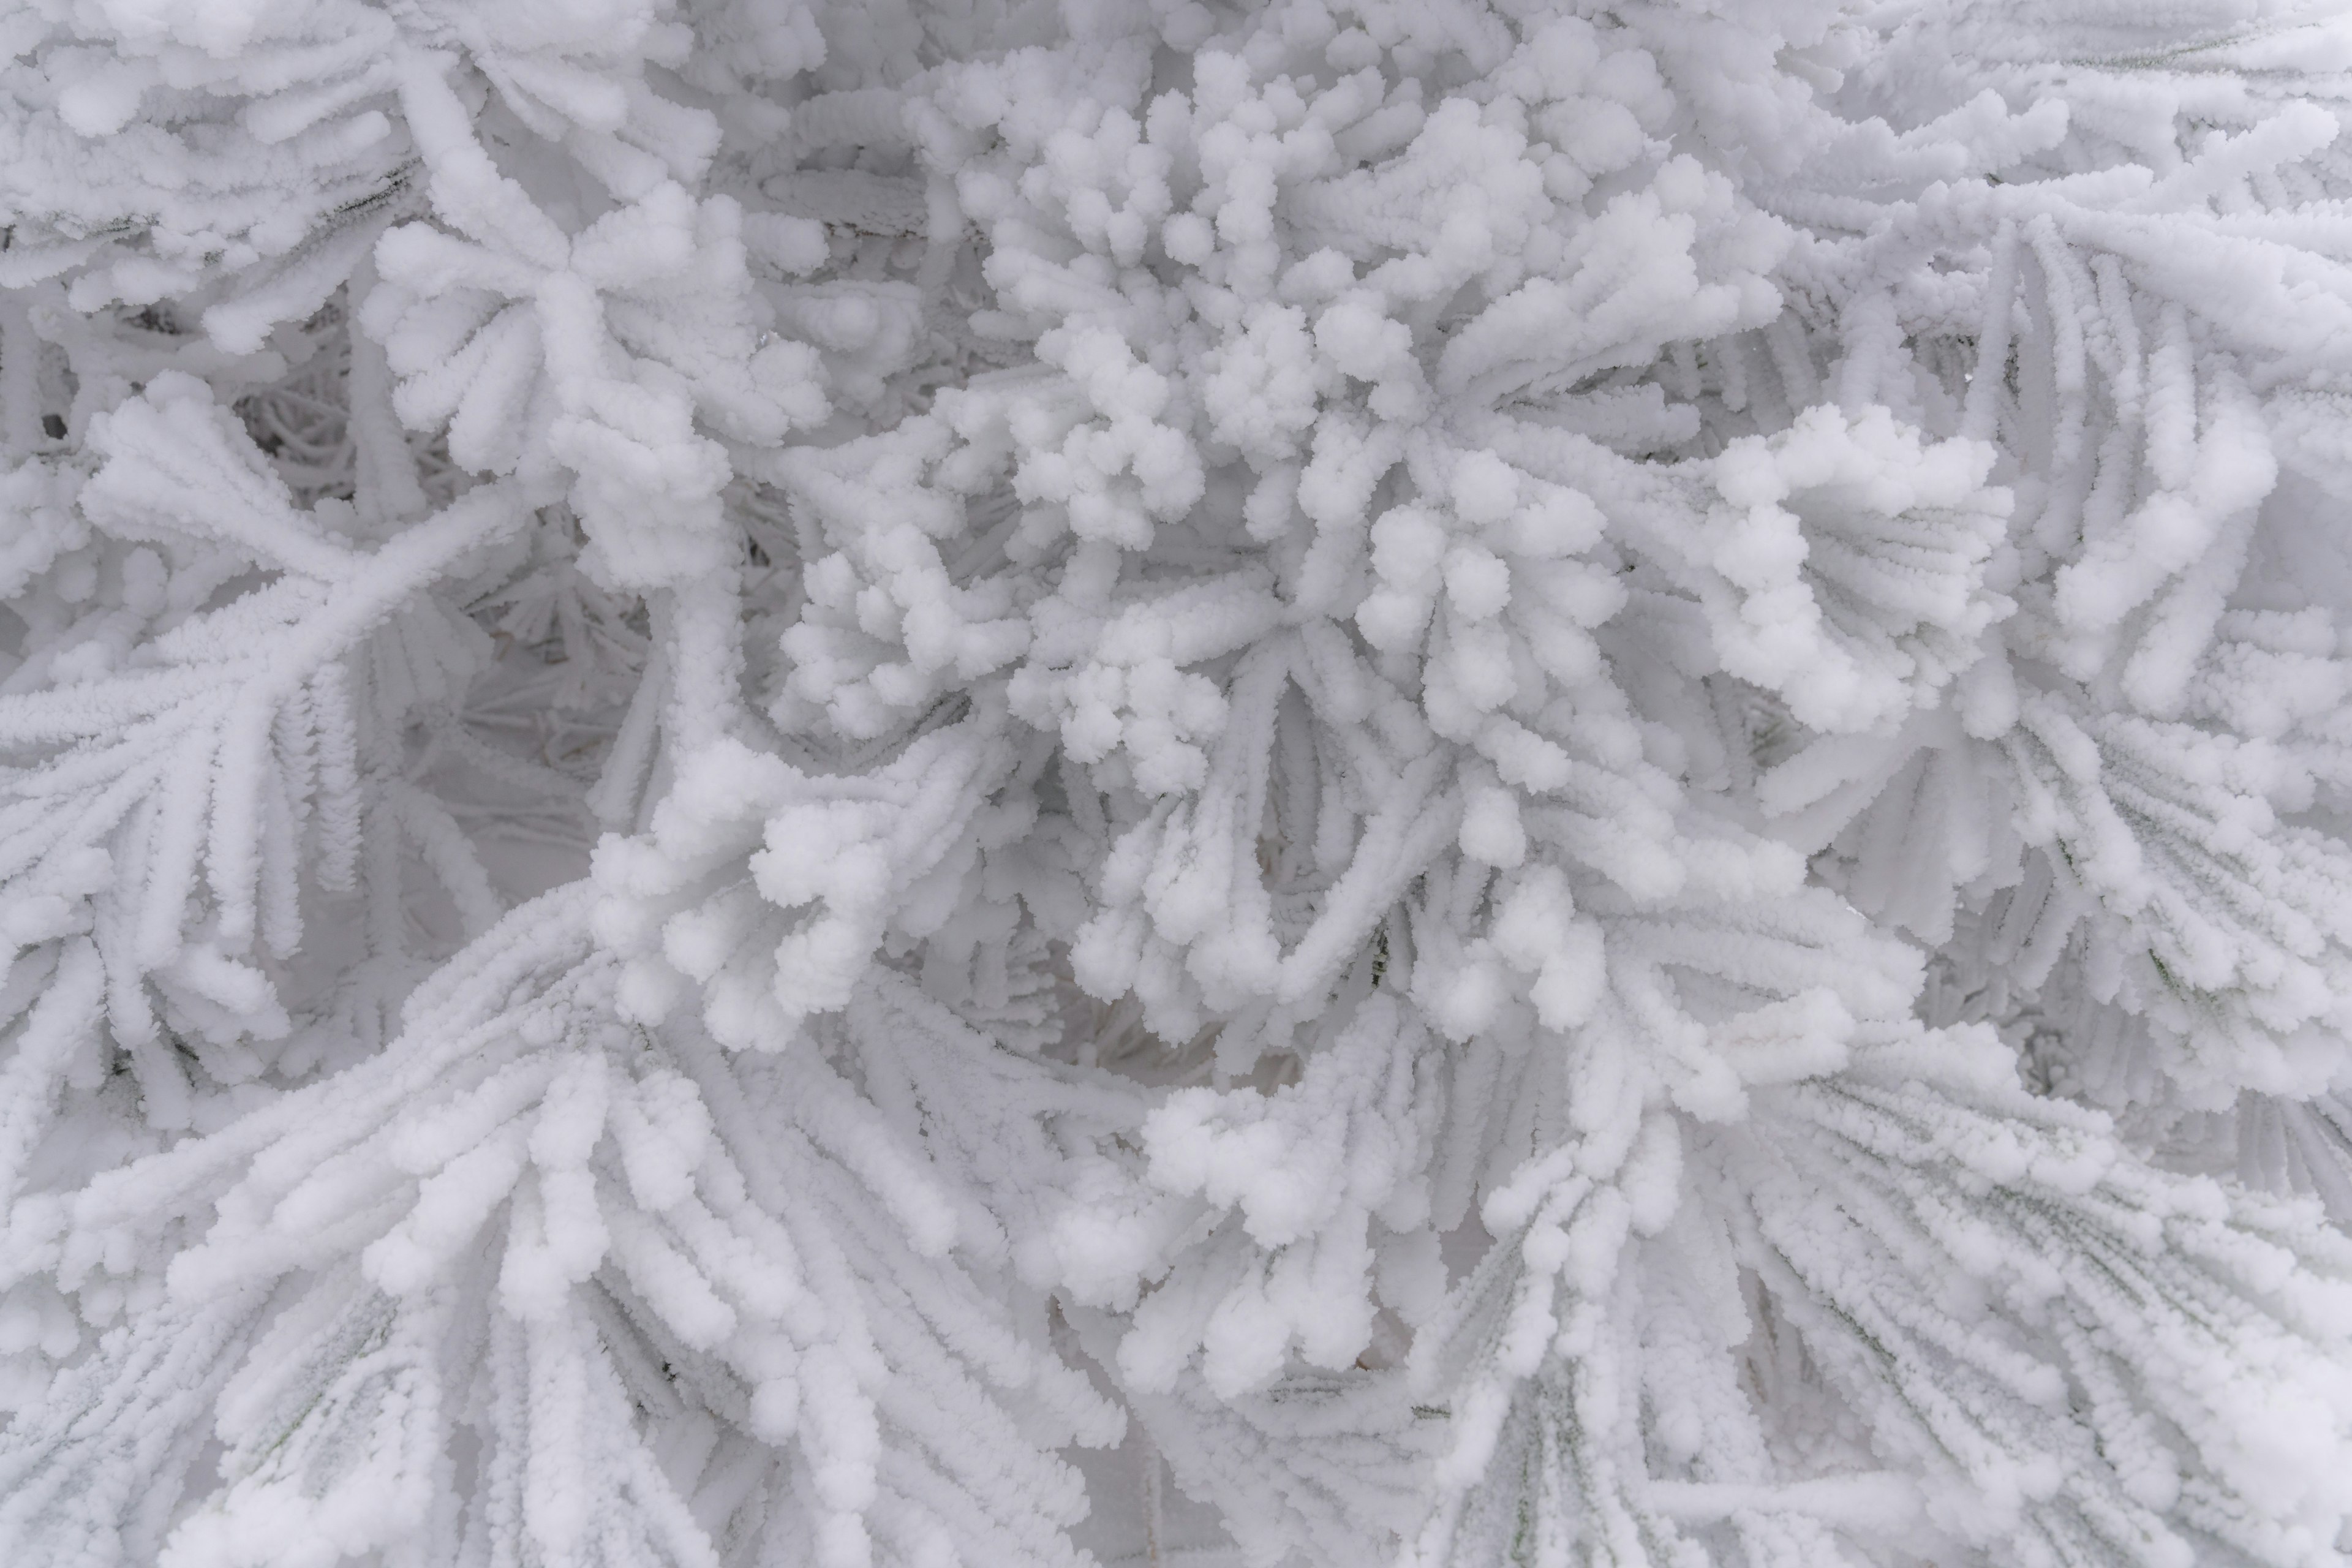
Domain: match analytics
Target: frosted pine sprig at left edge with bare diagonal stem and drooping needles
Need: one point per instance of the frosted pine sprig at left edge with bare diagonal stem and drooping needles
(206, 753)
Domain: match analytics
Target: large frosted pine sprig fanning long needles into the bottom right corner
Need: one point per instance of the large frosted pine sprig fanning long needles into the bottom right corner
(1970, 1299)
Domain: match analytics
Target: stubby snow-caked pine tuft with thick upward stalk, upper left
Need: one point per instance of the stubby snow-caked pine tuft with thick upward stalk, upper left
(592, 354)
